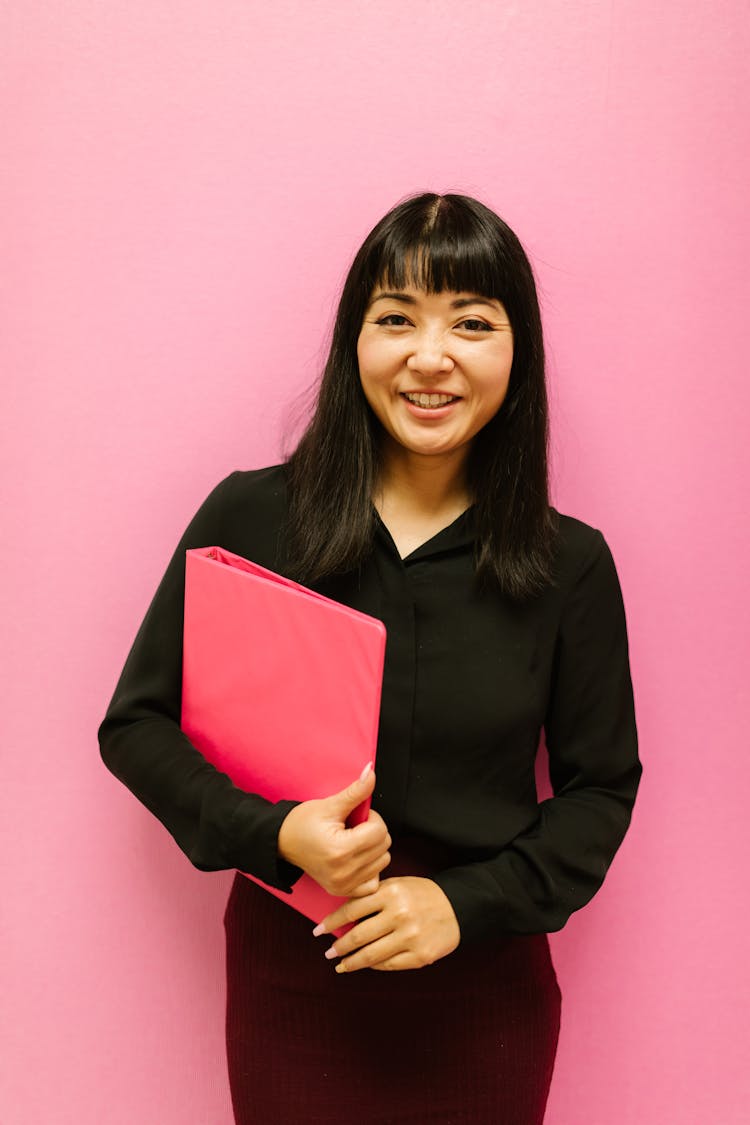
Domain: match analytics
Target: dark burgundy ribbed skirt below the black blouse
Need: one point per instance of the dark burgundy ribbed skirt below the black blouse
(471, 1039)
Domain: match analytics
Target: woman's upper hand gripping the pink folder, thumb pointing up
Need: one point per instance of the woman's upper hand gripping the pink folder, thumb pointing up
(345, 861)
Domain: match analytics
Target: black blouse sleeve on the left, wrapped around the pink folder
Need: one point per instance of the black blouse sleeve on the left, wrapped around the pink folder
(218, 825)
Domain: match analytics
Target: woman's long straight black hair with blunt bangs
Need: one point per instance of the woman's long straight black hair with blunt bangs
(437, 244)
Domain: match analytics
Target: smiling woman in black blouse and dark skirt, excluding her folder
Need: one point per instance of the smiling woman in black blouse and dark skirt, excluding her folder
(419, 494)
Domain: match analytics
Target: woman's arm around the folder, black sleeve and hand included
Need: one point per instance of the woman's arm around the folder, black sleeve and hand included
(218, 825)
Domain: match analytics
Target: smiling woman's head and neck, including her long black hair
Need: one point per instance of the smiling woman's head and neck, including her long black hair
(457, 265)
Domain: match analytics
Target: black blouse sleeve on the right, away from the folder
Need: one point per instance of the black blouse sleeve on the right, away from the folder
(558, 865)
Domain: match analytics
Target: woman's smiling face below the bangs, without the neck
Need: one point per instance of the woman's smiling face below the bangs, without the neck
(435, 367)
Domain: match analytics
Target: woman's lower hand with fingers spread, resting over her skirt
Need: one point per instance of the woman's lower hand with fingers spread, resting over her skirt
(408, 923)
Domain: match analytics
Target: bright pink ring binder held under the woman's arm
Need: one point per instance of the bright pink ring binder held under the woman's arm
(281, 689)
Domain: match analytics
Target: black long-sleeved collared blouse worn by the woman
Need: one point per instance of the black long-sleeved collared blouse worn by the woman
(471, 682)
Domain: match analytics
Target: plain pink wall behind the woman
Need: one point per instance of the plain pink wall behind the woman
(183, 188)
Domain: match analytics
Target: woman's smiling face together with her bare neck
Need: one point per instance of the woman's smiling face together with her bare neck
(433, 377)
